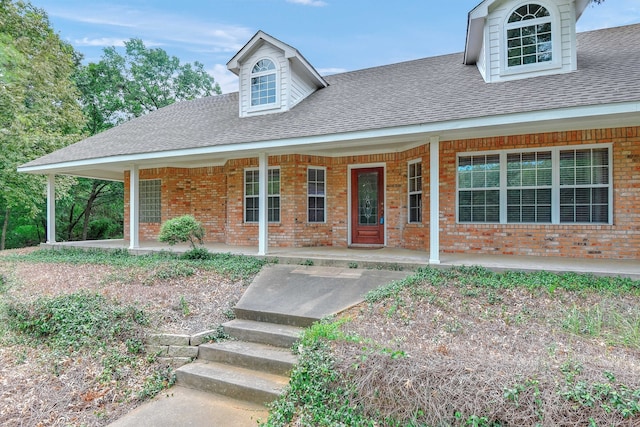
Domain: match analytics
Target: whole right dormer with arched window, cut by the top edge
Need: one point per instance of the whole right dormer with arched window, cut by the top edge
(516, 39)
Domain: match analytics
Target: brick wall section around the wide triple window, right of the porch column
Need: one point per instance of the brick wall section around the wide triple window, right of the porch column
(620, 240)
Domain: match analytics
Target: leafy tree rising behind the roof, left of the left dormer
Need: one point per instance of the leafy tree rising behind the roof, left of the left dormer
(121, 87)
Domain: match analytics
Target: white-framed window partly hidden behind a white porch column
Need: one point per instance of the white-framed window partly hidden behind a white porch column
(251, 195)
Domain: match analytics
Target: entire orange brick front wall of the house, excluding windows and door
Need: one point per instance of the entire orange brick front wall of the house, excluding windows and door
(215, 196)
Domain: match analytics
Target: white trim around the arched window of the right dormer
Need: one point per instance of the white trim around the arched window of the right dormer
(556, 42)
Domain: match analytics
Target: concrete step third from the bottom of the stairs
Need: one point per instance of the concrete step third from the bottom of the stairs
(277, 335)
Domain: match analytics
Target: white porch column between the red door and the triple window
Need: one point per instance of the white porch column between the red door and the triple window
(434, 200)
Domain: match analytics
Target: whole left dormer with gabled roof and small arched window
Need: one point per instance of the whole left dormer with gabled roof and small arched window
(274, 76)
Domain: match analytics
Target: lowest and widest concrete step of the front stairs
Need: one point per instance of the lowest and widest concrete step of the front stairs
(231, 381)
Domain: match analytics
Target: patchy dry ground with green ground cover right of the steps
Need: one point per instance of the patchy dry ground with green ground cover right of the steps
(469, 347)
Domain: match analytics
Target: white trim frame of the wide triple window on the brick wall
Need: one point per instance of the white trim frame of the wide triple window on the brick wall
(555, 186)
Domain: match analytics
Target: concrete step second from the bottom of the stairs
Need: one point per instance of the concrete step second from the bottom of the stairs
(260, 357)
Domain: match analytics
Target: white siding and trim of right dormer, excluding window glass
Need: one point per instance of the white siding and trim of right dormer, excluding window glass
(490, 52)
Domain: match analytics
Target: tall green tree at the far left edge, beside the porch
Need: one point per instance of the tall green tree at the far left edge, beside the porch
(39, 112)
